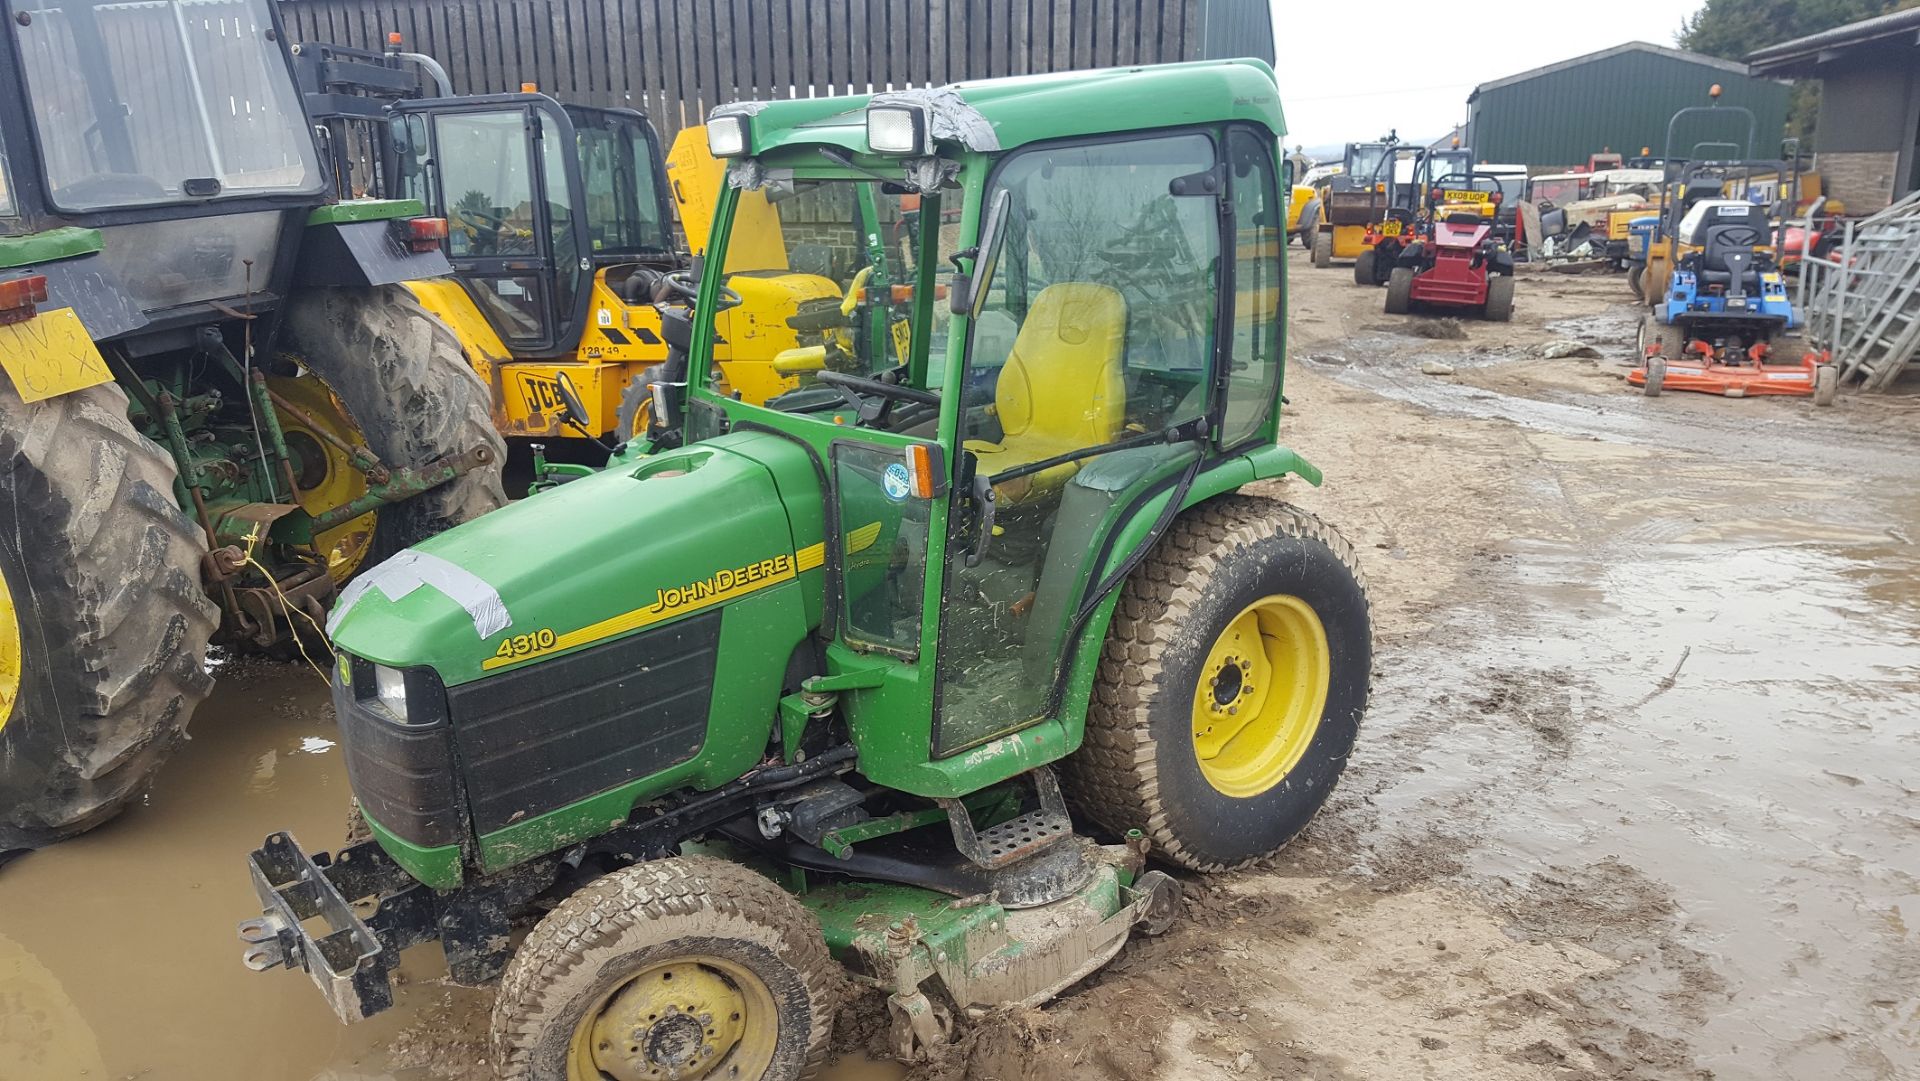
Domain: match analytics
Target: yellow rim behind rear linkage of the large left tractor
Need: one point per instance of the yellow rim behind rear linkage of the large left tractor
(325, 473)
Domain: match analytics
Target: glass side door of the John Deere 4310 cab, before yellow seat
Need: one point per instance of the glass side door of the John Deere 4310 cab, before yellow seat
(1099, 327)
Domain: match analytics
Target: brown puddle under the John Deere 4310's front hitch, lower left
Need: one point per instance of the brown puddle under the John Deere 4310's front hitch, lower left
(118, 951)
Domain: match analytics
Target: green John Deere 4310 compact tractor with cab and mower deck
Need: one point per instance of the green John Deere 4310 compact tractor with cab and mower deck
(848, 690)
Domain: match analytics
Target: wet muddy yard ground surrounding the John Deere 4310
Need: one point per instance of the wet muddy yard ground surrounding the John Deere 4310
(1639, 796)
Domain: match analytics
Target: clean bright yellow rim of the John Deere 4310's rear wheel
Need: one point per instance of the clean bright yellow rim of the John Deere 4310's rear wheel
(1260, 696)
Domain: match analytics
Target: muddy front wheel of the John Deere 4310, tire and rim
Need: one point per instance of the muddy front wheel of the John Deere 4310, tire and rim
(690, 969)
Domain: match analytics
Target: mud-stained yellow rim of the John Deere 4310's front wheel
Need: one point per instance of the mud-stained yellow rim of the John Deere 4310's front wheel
(683, 1021)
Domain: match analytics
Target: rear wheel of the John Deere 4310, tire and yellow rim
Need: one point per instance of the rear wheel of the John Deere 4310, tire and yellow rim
(1232, 686)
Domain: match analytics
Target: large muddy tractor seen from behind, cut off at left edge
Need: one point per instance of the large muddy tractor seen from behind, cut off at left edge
(218, 404)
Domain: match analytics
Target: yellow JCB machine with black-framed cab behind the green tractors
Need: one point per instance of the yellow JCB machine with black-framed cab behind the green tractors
(560, 224)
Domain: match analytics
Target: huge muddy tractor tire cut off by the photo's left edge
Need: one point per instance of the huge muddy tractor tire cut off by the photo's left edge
(103, 619)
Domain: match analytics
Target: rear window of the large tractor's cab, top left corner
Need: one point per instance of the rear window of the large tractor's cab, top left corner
(158, 101)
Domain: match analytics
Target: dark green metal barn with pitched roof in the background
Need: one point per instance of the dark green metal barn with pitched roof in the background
(1618, 99)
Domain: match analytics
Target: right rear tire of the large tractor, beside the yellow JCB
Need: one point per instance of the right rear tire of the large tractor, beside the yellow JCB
(412, 396)
